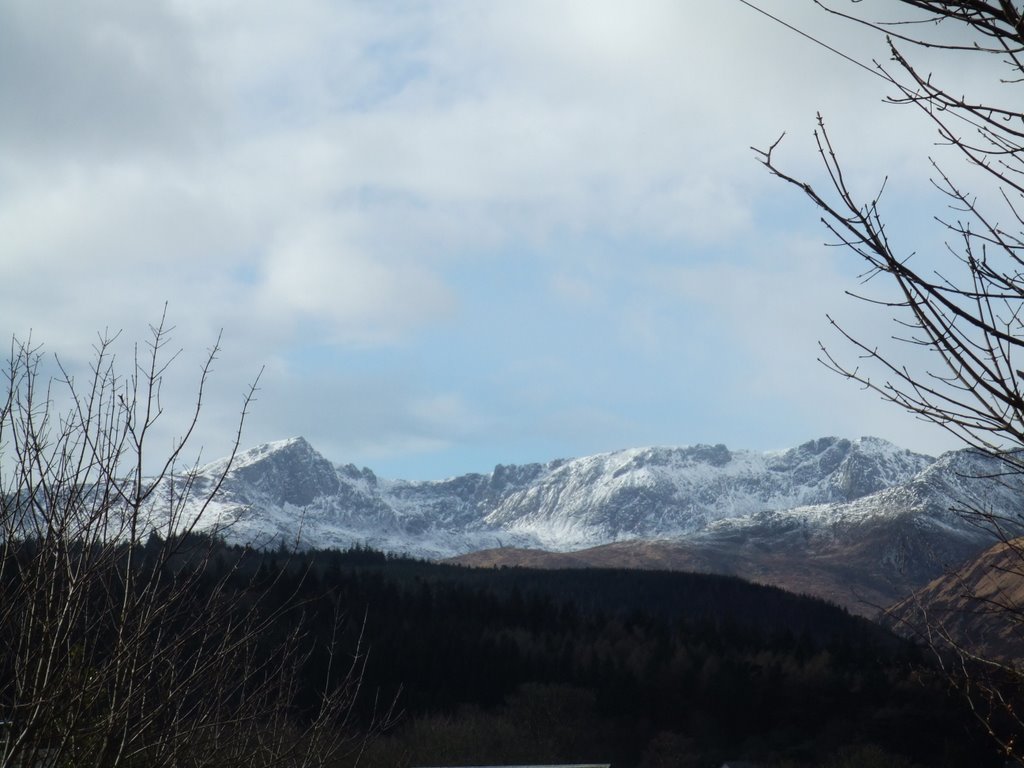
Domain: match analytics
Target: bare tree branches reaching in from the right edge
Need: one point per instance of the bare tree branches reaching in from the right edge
(963, 307)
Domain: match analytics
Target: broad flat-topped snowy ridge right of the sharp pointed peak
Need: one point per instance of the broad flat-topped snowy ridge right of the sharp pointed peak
(658, 493)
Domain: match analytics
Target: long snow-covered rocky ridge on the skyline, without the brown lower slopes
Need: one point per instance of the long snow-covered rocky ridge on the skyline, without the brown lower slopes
(287, 492)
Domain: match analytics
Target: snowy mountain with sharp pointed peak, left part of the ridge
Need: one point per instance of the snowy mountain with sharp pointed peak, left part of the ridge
(287, 492)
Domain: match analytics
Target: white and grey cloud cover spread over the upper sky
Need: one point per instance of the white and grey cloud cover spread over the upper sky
(329, 174)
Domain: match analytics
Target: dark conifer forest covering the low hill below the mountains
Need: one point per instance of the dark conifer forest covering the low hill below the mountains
(644, 669)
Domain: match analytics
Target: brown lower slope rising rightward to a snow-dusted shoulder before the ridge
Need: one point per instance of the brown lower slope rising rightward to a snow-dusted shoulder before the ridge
(865, 554)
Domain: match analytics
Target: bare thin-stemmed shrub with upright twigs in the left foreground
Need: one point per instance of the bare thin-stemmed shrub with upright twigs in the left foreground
(123, 641)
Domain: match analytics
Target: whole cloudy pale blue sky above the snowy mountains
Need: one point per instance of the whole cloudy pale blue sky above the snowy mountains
(454, 234)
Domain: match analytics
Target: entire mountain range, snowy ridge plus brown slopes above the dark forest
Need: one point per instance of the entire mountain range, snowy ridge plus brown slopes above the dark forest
(860, 523)
